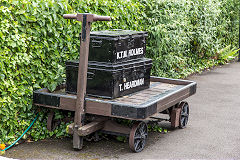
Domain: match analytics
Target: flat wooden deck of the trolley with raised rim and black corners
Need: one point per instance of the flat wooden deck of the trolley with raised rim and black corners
(162, 94)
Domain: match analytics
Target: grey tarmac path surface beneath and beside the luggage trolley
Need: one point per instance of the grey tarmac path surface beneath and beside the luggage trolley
(213, 131)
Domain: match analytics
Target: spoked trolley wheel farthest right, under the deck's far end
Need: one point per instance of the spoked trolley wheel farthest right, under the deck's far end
(184, 114)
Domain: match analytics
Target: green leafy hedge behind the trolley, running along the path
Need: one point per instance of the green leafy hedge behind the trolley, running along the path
(185, 36)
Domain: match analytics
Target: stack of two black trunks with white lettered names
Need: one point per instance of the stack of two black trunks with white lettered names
(116, 66)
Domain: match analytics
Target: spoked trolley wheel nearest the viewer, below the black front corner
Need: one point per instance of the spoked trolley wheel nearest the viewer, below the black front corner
(138, 136)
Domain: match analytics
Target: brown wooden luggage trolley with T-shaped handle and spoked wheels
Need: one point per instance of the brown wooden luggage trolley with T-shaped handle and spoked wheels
(97, 114)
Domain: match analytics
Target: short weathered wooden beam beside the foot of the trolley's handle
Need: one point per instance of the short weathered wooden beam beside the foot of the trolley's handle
(90, 128)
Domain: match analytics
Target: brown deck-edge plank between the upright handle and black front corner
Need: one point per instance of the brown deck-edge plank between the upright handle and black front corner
(94, 107)
